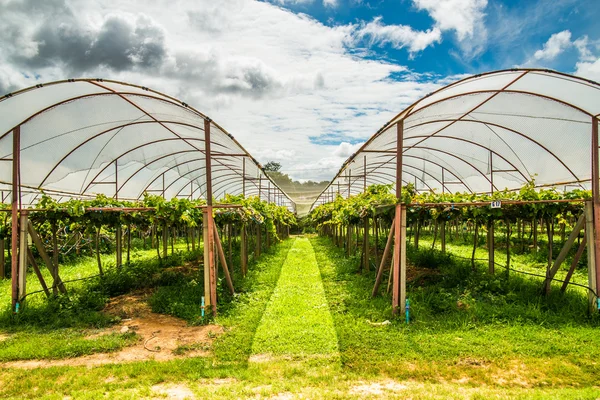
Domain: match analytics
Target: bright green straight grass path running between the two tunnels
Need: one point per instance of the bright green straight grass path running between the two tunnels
(297, 320)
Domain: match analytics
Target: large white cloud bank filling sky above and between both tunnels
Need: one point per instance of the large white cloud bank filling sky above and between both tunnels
(272, 78)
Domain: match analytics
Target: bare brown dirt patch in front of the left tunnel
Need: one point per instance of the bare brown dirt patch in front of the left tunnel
(162, 337)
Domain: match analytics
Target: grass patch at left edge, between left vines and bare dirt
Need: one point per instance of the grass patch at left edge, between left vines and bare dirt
(65, 343)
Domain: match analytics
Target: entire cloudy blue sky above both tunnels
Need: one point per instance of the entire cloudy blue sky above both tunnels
(301, 82)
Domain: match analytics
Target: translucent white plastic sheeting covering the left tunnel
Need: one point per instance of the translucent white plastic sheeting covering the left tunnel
(79, 138)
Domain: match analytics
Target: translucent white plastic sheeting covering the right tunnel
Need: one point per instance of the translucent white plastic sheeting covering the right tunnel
(483, 134)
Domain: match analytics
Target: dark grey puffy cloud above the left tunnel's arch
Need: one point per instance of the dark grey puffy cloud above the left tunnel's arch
(119, 42)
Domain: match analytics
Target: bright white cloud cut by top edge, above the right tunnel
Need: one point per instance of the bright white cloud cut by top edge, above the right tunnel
(465, 17)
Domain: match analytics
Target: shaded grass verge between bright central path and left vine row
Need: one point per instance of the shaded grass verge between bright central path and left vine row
(241, 317)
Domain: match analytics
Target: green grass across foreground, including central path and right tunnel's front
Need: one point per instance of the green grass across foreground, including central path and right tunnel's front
(503, 341)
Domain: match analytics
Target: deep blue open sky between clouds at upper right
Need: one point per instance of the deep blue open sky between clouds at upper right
(515, 30)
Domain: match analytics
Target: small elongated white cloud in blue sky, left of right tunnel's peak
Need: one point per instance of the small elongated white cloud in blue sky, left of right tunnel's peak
(399, 36)
